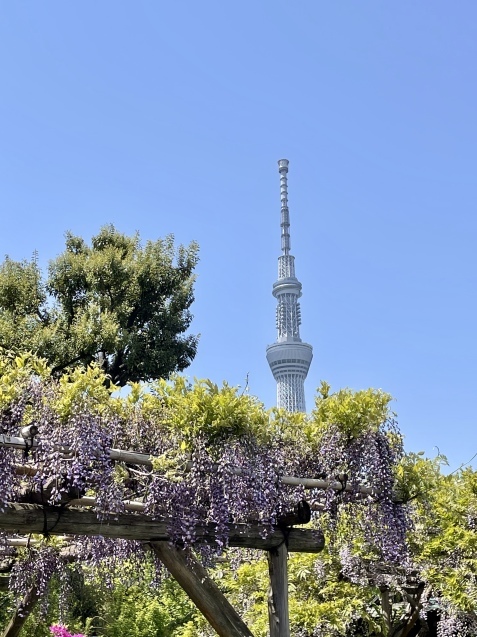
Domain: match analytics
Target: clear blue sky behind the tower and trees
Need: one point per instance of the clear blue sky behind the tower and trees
(169, 117)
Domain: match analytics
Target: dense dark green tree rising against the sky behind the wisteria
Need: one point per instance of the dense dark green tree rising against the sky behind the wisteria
(114, 302)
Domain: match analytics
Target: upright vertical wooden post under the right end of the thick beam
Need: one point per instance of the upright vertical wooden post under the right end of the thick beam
(278, 594)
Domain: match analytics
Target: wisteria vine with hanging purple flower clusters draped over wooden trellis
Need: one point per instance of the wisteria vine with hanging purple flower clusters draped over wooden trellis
(232, 475)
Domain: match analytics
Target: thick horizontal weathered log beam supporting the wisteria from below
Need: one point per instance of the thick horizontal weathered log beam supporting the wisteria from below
(33, 518)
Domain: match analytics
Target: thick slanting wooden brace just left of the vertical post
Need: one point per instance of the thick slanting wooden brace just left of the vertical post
(202, 590)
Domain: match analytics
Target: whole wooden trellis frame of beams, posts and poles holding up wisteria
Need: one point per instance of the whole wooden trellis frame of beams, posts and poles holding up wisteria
(74, 518)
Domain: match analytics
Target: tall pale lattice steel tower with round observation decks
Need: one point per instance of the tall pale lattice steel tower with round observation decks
(289, 358)
